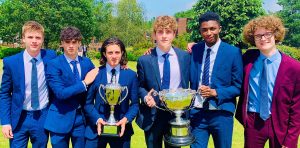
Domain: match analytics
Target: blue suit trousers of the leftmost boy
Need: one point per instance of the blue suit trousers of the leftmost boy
(31, 125)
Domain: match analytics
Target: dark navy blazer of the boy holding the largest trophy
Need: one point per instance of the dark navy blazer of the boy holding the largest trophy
(149, 77)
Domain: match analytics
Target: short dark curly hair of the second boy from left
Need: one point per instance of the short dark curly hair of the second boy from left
(70, 33)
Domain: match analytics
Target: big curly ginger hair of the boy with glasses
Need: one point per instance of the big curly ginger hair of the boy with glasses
(269, 22)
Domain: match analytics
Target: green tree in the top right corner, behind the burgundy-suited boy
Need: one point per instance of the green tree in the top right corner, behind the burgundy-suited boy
(290, 14)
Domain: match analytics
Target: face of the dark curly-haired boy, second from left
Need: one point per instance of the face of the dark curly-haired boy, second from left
(71, 48)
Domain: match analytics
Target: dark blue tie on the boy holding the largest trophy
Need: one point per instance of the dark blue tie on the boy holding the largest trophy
(166, 72)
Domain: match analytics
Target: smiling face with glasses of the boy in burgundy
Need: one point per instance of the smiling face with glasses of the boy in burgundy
(264, 40)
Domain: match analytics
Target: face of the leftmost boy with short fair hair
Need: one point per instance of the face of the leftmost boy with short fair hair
(33, 41)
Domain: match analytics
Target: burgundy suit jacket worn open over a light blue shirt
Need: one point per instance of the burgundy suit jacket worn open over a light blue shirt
(285, 107)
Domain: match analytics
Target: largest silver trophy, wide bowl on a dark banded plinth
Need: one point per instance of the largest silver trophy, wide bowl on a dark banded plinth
(178, 101)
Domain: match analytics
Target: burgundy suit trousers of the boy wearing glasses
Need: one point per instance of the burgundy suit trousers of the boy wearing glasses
(258, 131)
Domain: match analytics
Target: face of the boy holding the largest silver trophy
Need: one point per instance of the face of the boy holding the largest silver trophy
(164, 38)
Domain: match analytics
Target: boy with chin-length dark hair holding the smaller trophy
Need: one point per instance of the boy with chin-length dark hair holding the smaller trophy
(113, 56)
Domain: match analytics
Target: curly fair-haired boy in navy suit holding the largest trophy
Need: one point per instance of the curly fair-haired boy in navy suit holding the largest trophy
(166, 67)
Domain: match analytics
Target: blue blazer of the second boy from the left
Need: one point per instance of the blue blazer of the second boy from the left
(68, 93)
